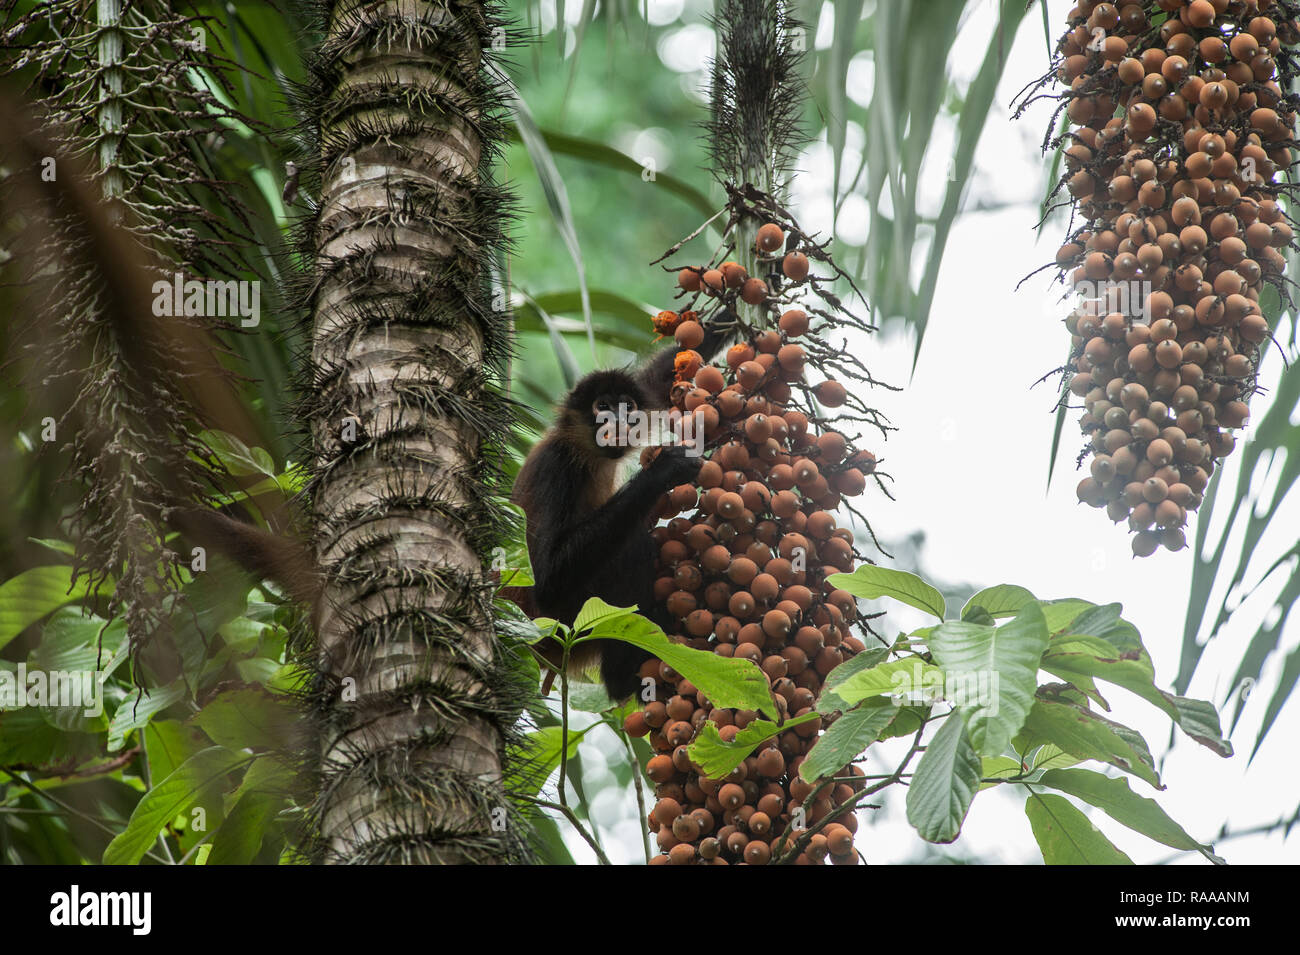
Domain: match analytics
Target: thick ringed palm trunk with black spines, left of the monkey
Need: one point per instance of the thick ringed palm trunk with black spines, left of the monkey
(417, 702)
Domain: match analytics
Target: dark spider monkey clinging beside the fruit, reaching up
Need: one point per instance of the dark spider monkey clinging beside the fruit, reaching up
(587, 539)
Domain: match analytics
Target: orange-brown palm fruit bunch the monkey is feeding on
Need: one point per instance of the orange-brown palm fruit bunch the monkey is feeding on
(744, 557)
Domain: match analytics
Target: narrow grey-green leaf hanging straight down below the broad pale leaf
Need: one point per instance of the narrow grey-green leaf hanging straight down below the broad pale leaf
(944, 784)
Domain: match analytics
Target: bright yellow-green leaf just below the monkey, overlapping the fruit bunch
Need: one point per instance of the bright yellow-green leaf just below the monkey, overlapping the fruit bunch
(729, 683)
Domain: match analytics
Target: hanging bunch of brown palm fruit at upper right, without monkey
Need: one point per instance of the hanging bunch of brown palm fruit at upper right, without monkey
(1181, 125)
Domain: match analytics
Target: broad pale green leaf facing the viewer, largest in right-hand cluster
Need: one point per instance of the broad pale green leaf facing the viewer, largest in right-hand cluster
(999, 668)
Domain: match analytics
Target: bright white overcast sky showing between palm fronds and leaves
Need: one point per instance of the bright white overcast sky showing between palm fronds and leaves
(970, 467)
